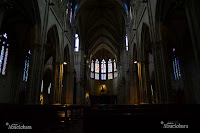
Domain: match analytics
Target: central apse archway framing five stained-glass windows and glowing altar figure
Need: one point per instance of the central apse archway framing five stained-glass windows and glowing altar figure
(102, 79)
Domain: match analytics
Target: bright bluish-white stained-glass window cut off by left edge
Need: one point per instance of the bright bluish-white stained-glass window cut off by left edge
(4, 53)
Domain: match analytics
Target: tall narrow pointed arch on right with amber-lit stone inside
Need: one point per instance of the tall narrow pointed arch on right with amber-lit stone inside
(146, 65)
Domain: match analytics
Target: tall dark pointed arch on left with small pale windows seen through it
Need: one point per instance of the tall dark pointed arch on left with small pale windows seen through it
(51, 69)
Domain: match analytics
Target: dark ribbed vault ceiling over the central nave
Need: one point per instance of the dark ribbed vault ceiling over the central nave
(101, 21)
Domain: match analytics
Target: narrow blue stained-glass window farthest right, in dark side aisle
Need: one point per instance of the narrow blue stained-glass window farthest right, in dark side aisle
(176, 66)
